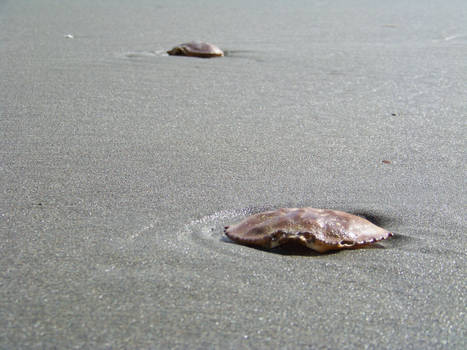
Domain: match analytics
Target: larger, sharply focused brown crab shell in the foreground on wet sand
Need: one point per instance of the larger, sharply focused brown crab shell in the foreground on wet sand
(318, 229)
